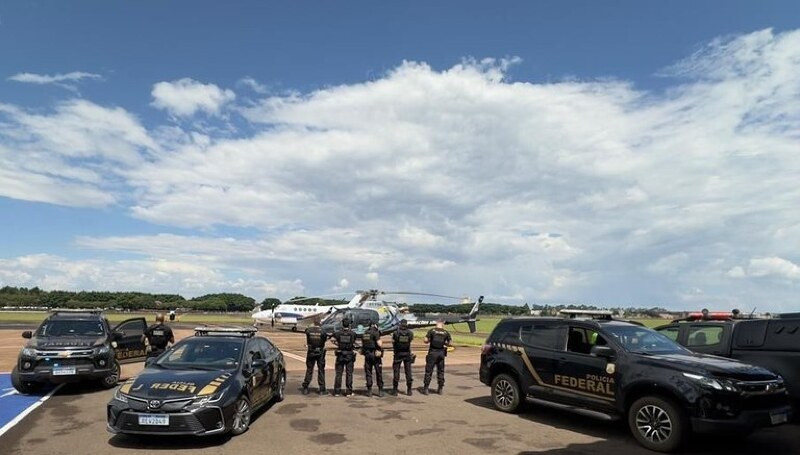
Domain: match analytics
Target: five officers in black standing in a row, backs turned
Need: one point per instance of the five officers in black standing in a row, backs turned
(438, 340)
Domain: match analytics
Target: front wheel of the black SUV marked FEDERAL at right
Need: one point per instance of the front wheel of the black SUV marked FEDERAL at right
(658, 423)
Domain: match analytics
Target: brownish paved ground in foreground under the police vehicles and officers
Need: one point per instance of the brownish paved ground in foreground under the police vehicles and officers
(462, 421)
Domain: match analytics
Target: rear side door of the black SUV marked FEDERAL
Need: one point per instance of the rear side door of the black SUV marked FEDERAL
(540, 341)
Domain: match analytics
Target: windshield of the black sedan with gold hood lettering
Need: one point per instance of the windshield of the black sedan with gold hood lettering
(203, 353)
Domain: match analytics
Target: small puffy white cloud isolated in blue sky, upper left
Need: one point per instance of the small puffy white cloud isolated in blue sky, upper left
(185, 97)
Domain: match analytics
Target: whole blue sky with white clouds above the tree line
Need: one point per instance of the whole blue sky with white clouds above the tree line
(602, 152)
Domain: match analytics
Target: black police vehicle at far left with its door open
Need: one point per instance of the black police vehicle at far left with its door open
(72, 346)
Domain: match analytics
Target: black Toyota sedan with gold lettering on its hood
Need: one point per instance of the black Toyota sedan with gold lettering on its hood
(210, 383)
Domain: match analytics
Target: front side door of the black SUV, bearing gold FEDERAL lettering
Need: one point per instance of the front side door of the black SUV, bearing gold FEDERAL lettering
(580, 376)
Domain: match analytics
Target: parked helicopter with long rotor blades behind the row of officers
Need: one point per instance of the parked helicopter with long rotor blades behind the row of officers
(366, 308)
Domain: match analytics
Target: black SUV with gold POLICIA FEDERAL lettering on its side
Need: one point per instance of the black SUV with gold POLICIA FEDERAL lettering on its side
(625, 370)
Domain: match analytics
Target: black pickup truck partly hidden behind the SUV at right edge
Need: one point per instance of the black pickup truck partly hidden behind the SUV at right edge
(771, 343)
